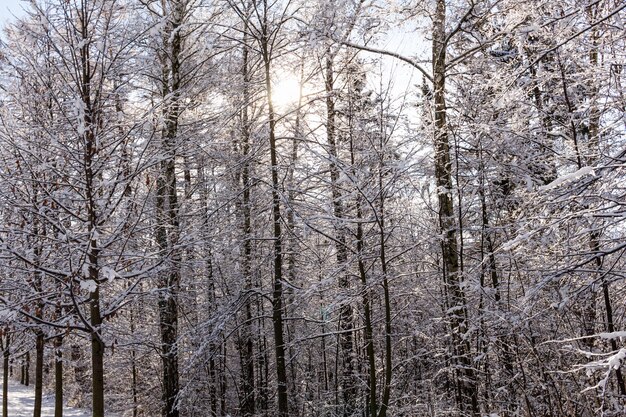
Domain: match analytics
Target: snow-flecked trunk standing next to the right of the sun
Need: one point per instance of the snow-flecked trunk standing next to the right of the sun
(346, 326)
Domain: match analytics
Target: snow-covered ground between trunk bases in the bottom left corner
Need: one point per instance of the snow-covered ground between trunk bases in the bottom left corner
(22, 400)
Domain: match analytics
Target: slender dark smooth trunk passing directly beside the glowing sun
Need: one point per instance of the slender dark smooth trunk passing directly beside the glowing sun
(277, 293)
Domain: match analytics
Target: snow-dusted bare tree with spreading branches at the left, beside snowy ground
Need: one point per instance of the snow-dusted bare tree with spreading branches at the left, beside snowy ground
(86, 52)
